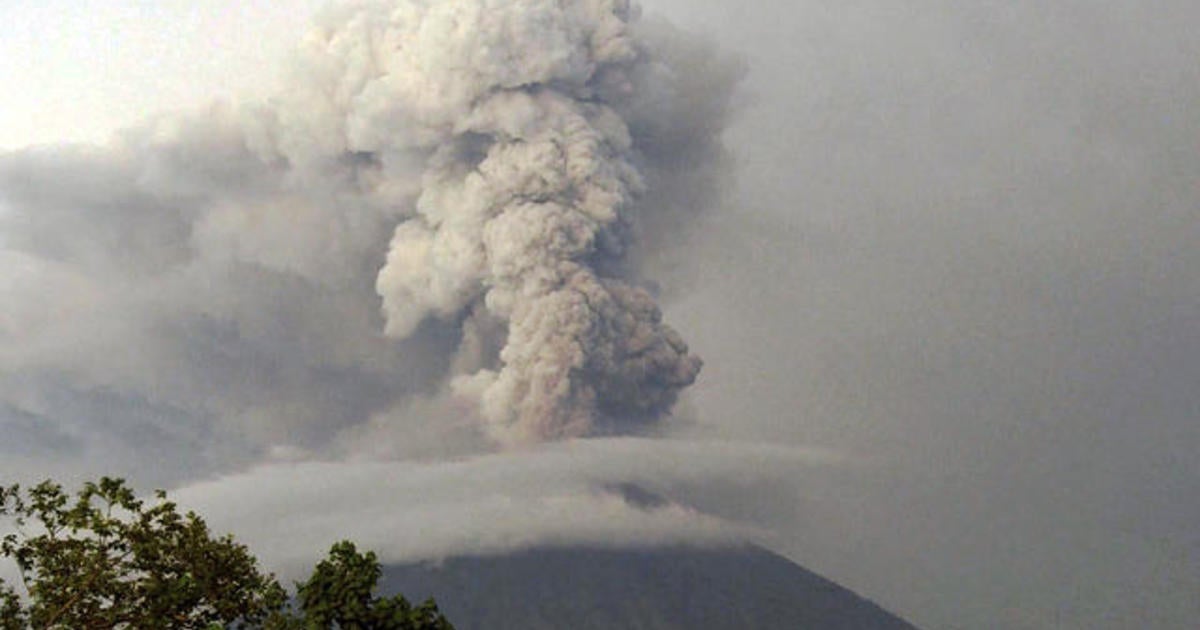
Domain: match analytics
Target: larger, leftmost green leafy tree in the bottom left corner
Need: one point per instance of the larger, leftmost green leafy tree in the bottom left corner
(107, 560)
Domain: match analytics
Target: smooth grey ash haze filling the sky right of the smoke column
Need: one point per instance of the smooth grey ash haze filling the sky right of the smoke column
(980, 225)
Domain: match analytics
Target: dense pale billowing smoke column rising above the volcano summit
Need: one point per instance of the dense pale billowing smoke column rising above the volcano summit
(526, 206)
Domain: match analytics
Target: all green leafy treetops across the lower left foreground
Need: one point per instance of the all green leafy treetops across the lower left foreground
(106, 560)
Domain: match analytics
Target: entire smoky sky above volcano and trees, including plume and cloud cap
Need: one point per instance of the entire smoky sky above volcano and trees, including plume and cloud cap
(439, 278)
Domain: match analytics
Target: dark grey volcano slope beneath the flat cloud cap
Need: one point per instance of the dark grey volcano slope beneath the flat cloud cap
(671, 589)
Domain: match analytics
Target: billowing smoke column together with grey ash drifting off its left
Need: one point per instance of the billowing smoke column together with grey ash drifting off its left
(449, 199)
